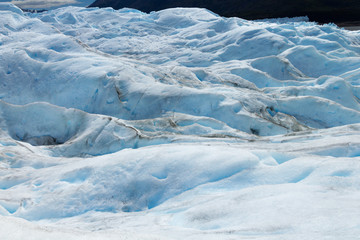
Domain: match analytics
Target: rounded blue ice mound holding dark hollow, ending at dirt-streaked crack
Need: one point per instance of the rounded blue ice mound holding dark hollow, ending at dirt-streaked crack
(75, 132)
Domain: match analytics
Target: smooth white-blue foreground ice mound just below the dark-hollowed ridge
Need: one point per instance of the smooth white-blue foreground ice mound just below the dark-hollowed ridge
(106, 185)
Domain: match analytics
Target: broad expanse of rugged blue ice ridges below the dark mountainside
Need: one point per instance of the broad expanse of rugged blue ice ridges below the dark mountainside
(161, 60)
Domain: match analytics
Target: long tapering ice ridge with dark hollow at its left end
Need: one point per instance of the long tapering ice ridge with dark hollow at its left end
(71, 132)
